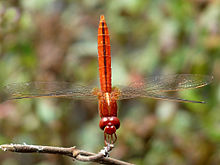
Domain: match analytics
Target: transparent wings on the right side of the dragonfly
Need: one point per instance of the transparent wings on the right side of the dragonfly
(155, 86)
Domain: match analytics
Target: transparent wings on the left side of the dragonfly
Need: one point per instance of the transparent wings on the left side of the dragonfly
(46, 89)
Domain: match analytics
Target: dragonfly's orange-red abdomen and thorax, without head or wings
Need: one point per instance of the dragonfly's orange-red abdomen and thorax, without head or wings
(107, 99)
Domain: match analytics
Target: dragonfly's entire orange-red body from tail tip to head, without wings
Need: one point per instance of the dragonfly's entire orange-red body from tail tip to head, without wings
(107, 96)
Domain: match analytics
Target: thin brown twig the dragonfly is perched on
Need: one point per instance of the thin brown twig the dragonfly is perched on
(72, 152)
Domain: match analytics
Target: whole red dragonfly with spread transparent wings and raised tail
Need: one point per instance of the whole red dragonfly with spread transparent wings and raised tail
(152, 87)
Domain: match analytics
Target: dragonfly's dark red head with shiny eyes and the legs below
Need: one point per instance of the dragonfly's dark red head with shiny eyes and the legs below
(109, 125)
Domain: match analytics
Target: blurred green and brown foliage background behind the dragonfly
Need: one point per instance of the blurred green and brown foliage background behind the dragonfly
(56, 40)
